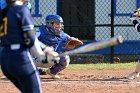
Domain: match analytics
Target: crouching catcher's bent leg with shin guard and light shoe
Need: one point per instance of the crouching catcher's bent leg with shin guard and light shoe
(54, 70)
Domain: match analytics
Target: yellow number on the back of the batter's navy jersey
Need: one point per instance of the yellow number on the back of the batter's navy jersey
(3, 27)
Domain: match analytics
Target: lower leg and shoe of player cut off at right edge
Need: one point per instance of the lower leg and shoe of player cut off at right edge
(135, 74)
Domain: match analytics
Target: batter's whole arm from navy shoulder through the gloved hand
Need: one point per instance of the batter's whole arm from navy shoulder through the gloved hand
(31, 40)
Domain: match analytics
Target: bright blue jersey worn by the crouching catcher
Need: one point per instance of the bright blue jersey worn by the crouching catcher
(48, 37)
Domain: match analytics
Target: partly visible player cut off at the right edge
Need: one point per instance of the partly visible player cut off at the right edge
(134, 18)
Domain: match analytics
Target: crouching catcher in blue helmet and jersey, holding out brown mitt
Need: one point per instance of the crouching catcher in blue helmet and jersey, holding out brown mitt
(52, 34)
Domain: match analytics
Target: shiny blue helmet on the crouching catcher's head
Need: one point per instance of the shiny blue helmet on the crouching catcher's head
(53, 18)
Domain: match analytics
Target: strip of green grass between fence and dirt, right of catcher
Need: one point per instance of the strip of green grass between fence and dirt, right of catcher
(103, 66)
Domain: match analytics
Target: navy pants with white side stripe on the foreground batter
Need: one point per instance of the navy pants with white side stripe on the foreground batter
(21, 66)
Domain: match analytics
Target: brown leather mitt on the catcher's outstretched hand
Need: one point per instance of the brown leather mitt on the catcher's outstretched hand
(72, 43)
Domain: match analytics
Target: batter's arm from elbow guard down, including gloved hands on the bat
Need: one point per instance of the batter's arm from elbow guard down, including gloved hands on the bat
(47, 56)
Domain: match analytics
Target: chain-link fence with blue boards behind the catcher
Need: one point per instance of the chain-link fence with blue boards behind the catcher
(95, 20)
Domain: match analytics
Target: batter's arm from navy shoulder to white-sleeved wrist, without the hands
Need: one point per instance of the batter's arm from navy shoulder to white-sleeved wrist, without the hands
(29, 34)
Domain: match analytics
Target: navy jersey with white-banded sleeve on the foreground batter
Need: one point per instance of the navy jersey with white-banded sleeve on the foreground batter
(18, 19)
